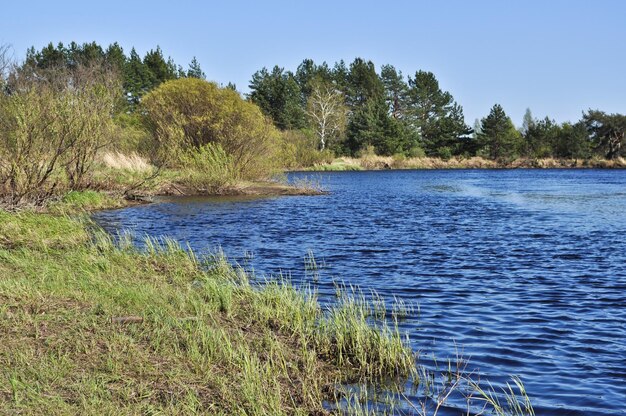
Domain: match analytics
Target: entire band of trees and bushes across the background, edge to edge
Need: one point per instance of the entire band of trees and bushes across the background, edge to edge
(65, 106)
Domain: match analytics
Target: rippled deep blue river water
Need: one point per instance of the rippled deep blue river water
(523, 271)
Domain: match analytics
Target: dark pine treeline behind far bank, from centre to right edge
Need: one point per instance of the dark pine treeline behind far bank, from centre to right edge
(355, 108)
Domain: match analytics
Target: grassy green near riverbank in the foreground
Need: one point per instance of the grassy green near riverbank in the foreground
(93, 326)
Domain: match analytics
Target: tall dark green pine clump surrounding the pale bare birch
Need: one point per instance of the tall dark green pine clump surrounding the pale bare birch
(382, 110)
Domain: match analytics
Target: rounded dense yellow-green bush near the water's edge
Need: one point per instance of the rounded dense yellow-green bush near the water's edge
(190, 113)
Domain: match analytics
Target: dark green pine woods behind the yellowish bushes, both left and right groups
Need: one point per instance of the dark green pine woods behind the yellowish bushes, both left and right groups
(356, 107)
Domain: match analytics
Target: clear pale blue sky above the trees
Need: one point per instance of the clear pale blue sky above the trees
(556, 57)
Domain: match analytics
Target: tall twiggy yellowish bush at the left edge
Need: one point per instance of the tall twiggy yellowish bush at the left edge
(50, 131)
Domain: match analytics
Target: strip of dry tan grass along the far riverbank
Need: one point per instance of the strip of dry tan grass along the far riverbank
(391, 162)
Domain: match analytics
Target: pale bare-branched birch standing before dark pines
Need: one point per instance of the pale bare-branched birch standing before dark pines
(327, 111)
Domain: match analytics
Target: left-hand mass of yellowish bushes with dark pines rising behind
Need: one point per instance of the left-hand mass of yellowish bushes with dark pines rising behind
(64, 109)
